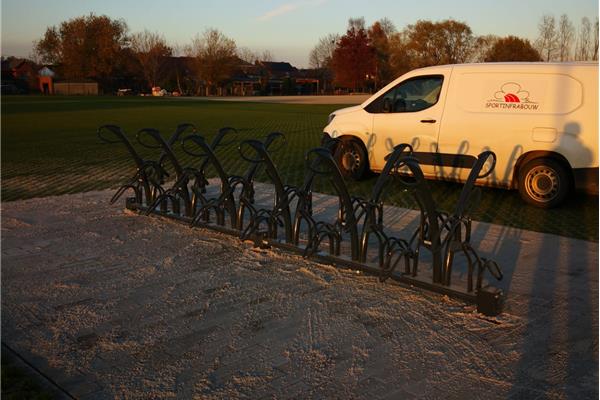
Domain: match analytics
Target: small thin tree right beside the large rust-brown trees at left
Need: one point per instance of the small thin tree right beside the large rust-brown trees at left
(150, 49)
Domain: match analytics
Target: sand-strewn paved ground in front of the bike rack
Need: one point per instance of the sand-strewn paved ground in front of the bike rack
(110, 304)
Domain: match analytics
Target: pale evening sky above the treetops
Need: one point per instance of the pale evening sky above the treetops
(288, 29)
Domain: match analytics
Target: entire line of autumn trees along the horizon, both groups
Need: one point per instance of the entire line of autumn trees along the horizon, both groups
(364, 58)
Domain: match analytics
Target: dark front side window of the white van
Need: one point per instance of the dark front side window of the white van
(412, 95)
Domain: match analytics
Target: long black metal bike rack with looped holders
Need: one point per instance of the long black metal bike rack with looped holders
(348, 236)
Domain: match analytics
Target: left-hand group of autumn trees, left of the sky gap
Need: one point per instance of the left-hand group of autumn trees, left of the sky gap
(102, 49)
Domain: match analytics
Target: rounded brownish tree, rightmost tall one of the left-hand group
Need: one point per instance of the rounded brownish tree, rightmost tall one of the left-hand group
(215, 58)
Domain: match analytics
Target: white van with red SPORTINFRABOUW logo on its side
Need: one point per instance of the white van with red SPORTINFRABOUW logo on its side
(541, 120)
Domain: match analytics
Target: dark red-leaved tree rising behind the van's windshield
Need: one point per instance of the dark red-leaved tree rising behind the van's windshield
(354, 59)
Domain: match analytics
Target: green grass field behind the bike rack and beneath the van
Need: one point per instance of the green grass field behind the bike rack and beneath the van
(49, 147)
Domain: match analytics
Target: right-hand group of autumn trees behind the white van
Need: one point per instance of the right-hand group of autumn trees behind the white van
(368, 58)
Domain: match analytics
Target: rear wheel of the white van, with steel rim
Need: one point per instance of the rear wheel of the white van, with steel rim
(544, 182)
